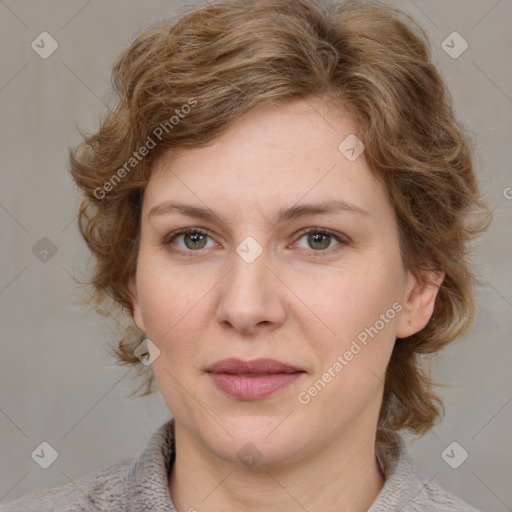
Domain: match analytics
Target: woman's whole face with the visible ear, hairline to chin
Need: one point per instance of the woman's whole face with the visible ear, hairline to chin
(280, 269)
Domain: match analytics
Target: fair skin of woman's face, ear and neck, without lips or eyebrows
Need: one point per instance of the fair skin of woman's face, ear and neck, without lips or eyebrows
(302, 301)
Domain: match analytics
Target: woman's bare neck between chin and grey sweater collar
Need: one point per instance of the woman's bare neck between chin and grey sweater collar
(344, 476)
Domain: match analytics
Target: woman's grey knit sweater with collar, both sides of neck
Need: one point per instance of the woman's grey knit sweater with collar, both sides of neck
(141, 484)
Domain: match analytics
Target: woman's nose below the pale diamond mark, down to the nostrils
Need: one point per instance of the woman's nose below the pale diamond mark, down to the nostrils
(252, 299)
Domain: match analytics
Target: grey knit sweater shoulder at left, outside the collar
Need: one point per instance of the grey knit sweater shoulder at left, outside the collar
(98, 491)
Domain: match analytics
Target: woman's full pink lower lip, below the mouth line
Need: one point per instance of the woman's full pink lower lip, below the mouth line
(253, 388)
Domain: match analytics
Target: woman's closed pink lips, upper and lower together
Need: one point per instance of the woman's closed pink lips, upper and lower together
(252, 380)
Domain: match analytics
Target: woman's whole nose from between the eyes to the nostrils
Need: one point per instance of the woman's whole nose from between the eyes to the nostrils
(249, 295)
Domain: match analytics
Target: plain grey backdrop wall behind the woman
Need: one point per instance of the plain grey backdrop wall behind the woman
(56, 382)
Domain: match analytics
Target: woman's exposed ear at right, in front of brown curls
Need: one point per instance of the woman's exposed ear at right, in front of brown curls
(419, 301)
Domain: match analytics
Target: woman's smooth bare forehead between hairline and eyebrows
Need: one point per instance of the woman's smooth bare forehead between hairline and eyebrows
(275, 156)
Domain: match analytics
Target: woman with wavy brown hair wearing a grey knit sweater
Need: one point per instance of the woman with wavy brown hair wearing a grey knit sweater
(281, 201)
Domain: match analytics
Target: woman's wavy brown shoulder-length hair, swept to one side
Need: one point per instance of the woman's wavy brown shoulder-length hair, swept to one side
(183, 82)
